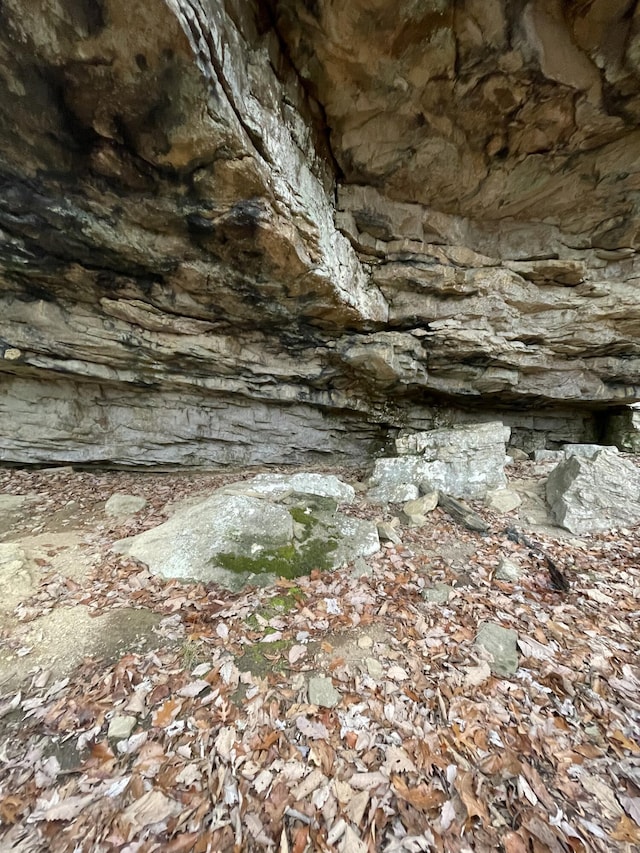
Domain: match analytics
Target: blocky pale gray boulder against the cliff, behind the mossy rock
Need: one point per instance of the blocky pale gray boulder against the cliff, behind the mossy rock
(465, 461)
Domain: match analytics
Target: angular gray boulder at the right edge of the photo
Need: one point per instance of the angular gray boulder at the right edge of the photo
(587, 495)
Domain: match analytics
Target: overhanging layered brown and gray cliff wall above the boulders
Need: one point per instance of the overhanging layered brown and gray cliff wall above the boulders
(247, 232)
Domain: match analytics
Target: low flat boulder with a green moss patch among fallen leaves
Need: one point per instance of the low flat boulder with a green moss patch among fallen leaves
(246, 538)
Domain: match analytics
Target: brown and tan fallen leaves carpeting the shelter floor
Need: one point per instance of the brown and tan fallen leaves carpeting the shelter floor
(424, 750)
